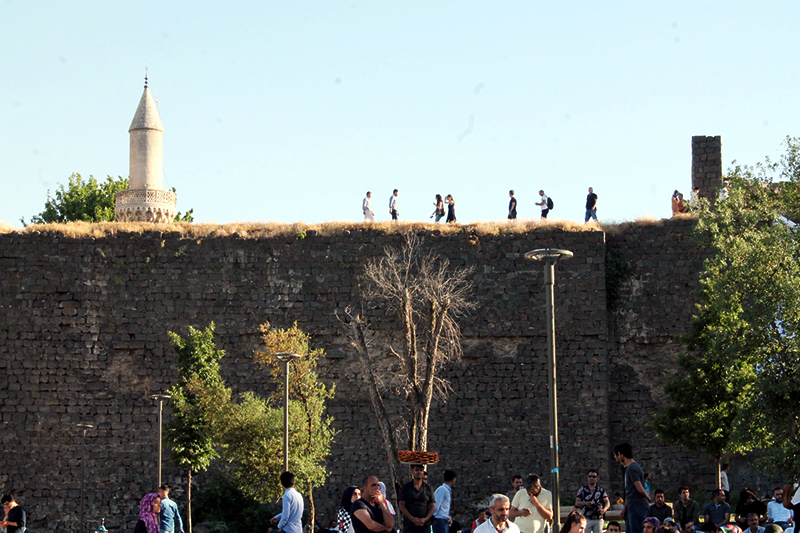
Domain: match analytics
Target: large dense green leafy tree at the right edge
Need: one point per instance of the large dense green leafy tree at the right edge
(737, 388)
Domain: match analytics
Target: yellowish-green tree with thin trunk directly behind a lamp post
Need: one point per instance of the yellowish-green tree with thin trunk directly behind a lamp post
(310, 431)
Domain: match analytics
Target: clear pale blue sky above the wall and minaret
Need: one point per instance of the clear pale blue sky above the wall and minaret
(291, 110)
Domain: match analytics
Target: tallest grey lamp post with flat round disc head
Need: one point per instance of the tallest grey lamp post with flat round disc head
(550, 256)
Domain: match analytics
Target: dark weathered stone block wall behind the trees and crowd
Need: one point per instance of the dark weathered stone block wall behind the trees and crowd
(83, 338)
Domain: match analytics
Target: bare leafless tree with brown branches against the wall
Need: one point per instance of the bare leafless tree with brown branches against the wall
(426, 296)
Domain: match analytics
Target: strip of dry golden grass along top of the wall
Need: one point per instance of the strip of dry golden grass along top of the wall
(256, 230)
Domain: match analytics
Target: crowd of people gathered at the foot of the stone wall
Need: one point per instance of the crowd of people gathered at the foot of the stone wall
(526, 508)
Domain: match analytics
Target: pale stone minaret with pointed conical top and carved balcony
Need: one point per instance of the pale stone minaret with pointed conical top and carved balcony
(145, 201)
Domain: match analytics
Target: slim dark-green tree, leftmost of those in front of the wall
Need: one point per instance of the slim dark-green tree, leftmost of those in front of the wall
(199, 402)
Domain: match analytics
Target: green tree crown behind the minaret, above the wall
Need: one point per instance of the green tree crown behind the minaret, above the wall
(87, 201)
